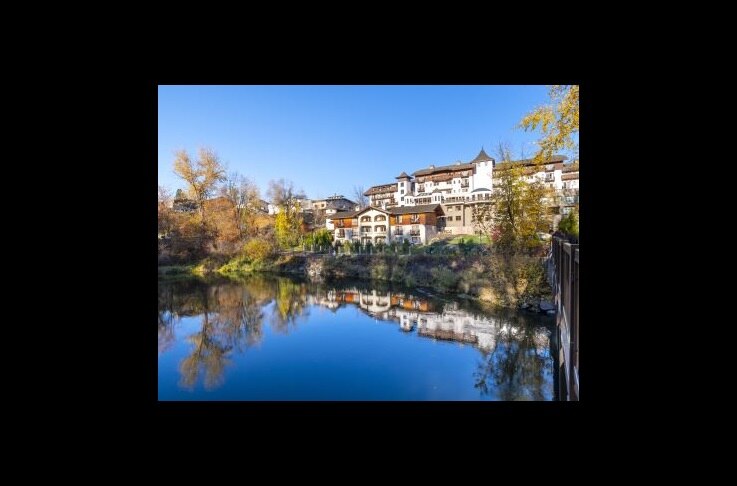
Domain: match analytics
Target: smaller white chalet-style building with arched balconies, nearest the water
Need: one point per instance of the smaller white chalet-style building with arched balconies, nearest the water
(416, 224)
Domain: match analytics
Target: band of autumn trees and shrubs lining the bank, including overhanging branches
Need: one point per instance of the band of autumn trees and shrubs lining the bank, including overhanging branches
(236, 234)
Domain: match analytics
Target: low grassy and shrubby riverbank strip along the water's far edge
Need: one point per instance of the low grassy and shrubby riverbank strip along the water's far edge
(503, 281)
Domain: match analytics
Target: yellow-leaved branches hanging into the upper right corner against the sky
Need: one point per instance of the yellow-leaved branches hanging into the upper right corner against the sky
(557, 121)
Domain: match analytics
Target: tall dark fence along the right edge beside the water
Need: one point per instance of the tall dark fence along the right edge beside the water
(563, 275)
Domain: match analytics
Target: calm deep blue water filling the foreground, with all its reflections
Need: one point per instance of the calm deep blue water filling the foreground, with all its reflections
(275, 338)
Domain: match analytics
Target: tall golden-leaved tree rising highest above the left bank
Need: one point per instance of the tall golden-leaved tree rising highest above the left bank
(201, 175)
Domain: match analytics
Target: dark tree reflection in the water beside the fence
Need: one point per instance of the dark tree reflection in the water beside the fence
(517, 366)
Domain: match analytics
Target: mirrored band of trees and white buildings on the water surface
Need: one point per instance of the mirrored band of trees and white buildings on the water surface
(514, 350)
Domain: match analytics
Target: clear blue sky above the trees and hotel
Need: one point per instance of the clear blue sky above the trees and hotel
(327, 139)
